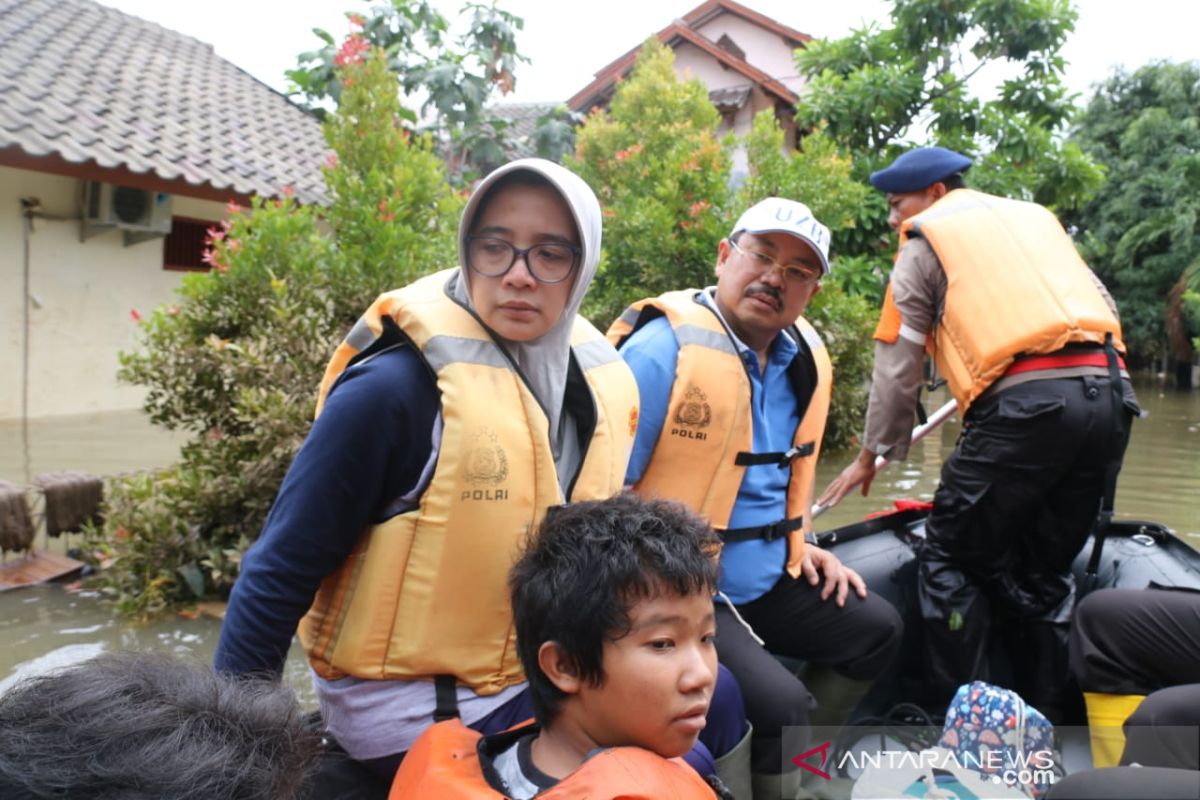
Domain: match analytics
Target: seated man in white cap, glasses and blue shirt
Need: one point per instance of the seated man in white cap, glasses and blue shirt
(735, 390)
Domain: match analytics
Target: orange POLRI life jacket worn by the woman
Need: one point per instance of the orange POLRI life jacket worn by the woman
(425, 592)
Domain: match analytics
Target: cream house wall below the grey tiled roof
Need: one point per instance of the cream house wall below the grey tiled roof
(83, 294)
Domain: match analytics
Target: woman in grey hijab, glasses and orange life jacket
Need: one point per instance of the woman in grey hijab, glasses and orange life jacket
(454, 414)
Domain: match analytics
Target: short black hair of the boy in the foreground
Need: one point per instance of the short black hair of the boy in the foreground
(589, 564)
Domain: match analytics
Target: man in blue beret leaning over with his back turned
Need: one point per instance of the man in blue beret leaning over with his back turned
(1028, 341)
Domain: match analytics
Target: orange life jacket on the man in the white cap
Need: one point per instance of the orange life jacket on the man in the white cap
(709, 414)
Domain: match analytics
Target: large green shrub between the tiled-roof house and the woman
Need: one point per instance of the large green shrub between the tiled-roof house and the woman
(237, 362)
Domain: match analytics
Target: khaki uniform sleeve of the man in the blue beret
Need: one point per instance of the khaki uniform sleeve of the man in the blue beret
(919, 287)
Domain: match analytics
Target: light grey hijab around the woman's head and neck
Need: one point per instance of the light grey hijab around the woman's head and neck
(544, 362)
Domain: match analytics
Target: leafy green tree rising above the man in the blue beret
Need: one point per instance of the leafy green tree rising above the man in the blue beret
(879, 91)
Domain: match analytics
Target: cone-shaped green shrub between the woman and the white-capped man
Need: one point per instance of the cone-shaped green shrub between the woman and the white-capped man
(661, 171)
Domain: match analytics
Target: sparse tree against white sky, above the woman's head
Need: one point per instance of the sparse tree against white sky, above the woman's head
(454, 77)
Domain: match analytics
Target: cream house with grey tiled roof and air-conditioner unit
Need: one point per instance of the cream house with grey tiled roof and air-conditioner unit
(121, 145)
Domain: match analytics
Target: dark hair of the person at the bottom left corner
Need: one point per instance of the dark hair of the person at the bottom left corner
(135, 726)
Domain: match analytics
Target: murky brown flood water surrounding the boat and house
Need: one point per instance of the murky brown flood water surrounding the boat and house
(46, 627)
